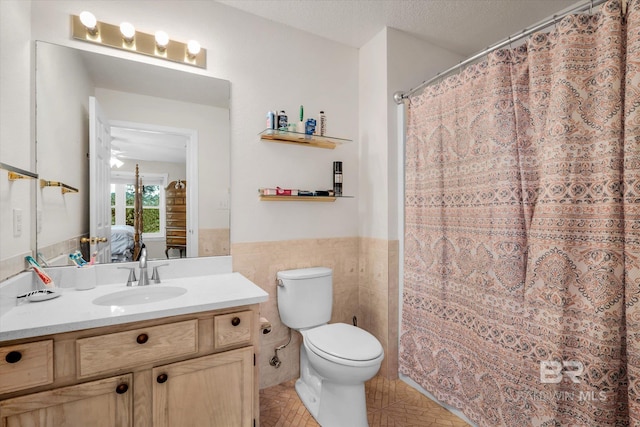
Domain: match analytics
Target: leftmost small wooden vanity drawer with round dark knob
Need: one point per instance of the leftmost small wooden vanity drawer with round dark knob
(26, 365)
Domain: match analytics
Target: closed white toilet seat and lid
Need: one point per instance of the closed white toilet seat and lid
(344, 344)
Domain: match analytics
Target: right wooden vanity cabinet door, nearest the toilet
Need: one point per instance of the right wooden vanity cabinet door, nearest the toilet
(212, 391)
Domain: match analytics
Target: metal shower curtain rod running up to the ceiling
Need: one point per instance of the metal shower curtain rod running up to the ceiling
(399, 97)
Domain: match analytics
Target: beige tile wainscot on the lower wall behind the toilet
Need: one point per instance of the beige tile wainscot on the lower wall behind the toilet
(362, 269)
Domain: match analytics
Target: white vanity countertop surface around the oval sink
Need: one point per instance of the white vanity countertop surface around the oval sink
(74, 309)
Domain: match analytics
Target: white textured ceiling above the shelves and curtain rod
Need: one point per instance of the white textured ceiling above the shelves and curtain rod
(461, 26)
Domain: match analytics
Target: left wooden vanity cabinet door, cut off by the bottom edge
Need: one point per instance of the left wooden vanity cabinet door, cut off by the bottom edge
(103, 403)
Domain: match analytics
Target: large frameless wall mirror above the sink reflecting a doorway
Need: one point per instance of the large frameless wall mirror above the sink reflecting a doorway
(165, 128)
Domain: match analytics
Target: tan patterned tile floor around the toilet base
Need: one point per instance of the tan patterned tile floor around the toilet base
(389, 403)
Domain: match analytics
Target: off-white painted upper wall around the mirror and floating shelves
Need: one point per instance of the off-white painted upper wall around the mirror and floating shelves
(323, 76)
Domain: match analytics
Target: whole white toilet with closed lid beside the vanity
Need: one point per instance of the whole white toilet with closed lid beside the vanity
(335, 359)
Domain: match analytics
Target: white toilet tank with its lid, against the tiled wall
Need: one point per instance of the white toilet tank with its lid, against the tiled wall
(305, 297)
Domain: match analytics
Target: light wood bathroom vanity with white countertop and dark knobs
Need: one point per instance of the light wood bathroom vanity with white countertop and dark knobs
(186, 360)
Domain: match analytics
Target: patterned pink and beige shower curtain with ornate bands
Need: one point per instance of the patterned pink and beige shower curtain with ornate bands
(522, 230)
